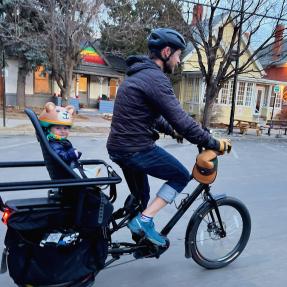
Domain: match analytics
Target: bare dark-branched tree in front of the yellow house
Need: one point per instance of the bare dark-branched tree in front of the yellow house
(207, 36)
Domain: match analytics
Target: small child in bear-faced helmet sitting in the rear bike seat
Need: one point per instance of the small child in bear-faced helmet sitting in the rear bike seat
(56, 122)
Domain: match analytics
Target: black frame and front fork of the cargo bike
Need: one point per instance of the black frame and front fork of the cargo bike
(122, 248)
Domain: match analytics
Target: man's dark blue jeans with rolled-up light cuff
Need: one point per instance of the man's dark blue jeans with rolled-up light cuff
(155, 162)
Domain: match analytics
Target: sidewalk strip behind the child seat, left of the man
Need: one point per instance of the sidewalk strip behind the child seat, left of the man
(87, 122)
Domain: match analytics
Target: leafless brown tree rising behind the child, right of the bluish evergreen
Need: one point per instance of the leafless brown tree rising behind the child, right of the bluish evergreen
(68, 26)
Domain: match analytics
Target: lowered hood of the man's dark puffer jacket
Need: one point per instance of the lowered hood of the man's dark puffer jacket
(137, 63)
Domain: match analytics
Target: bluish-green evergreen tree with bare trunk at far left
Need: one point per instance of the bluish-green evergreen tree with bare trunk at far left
(18, 34)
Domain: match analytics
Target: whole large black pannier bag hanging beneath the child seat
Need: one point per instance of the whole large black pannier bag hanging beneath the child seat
(32, 260)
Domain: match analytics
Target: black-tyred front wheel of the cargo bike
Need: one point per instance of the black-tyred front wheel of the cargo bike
(211, 246)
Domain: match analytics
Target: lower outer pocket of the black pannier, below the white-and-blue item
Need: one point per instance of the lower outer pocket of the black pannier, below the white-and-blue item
(29, 263)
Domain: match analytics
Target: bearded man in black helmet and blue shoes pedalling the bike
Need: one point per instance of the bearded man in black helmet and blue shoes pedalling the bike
(146, 103)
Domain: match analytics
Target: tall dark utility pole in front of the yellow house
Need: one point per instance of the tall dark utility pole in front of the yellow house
(235, 78)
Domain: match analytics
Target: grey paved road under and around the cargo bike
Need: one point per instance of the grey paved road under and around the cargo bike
(255, 172)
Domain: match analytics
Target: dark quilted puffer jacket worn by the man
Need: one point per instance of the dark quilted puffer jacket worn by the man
(145, 100)
